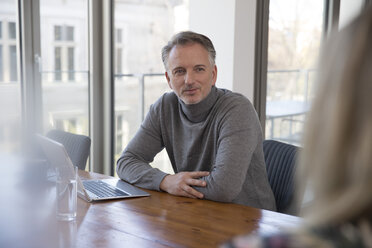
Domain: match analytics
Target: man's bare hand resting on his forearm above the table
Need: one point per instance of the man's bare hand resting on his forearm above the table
(180, 183)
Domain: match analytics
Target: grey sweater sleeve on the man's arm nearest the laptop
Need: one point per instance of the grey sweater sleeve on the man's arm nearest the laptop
(133, 165)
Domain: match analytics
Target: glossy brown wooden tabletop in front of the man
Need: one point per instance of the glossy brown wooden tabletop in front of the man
(163, 220)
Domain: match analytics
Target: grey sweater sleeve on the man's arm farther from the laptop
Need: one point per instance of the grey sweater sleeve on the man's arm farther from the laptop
(239, 134)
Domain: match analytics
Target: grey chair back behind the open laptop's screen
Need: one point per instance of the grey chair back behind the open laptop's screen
(77, 146)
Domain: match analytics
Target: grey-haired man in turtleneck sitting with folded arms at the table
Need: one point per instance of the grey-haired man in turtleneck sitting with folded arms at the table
(212, 136)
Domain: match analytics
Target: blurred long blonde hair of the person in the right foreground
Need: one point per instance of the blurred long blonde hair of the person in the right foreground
(337, 155)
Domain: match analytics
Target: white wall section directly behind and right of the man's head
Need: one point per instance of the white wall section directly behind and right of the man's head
(230, 25)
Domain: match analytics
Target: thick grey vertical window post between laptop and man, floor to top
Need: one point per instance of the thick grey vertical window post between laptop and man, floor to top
(101, 86)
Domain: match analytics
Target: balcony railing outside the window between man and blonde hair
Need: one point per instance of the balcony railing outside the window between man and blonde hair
(289, 95)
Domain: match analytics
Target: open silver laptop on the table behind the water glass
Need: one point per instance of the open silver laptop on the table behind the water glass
(89, 190)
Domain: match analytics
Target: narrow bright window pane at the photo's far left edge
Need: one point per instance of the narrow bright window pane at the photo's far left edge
(10, 88)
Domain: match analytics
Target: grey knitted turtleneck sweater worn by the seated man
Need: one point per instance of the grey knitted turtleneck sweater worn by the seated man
(221, 134)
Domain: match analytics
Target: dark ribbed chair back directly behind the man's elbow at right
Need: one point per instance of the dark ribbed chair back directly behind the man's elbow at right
(280, 161)
